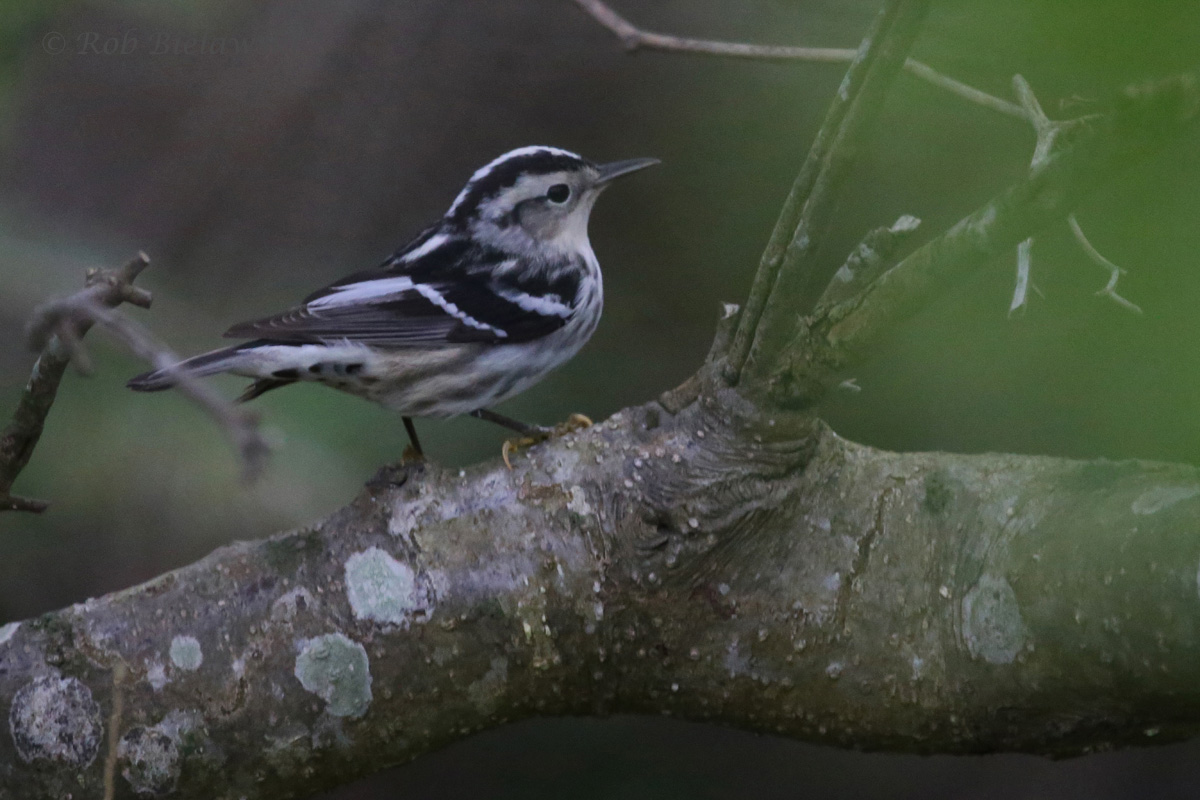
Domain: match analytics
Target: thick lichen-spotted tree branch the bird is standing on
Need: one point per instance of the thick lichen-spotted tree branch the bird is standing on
(755, 572)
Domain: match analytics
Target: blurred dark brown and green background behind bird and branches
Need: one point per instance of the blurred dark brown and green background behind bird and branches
(260, 149)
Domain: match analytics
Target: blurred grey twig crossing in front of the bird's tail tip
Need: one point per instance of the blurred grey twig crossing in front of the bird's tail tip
(241, 425)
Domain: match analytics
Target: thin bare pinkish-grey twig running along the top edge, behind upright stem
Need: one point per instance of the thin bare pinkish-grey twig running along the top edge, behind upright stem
(634, 38)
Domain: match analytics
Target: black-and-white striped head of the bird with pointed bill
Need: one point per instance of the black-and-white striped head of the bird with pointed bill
(537, 199)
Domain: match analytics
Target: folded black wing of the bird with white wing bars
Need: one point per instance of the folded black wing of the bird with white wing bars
(441, 290)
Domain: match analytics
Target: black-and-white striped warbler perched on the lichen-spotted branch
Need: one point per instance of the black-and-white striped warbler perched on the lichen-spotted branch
(479, 308)
